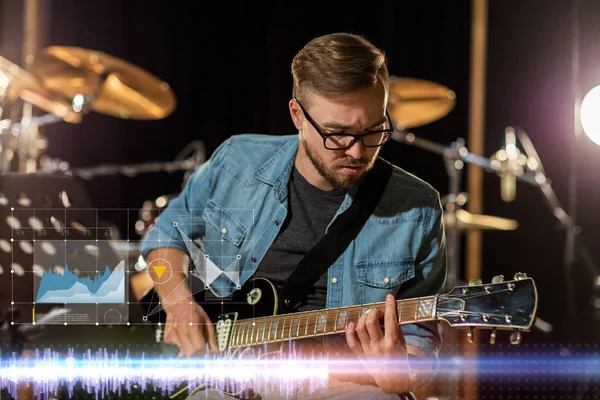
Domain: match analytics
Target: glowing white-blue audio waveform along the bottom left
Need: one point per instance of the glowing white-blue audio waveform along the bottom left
(100, 372)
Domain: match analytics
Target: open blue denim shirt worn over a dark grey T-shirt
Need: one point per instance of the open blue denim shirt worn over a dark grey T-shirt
(234, 205)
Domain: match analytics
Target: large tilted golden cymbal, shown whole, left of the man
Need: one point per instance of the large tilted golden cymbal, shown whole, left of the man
(116, 87)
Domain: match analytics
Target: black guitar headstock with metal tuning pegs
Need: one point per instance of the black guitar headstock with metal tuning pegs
(503, 305)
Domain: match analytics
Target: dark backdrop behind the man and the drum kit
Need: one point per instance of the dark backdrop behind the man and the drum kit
(229, 66)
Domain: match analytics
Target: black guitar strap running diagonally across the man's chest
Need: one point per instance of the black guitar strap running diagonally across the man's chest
(338, 237)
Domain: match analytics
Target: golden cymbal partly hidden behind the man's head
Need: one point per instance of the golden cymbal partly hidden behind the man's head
(416, 102)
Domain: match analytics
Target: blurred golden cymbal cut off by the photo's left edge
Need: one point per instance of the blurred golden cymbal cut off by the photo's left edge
(17, 83)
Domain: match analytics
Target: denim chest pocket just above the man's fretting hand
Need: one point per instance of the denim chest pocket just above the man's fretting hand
(378, 278)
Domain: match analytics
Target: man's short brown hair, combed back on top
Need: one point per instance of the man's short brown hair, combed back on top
(337, 64)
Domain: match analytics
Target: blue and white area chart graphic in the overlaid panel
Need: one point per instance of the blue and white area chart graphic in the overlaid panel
(106, 287)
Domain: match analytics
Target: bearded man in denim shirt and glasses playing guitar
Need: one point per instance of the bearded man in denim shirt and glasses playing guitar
(267, 200)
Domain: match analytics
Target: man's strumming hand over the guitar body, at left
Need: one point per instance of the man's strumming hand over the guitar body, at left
(189, 328)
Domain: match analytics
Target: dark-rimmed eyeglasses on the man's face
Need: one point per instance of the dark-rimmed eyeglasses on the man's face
(342, 141)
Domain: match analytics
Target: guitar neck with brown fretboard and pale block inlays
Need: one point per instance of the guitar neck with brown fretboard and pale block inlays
(310, 324)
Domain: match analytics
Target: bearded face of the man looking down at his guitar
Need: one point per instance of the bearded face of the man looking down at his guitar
(356, 113)
